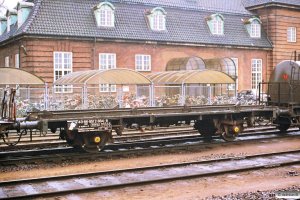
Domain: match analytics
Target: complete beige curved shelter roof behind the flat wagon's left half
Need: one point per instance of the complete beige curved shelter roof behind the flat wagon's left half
(111, 76)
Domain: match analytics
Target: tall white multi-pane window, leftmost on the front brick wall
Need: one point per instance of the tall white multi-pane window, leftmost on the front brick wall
(62, 66)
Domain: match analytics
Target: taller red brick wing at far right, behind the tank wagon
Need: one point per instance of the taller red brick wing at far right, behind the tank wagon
(281, 22)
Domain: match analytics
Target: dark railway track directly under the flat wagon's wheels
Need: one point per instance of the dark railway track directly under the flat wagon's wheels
(130, 148)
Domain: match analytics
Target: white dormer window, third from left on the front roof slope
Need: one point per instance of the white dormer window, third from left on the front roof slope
(215, 23)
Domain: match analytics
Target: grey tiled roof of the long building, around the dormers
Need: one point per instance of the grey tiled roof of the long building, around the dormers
(74, 18)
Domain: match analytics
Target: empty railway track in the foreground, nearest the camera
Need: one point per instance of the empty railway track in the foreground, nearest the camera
(105, 180)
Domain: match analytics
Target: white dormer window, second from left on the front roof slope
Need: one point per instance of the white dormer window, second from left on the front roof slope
(157, 19)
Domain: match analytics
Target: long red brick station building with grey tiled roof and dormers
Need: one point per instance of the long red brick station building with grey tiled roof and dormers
(51, 38)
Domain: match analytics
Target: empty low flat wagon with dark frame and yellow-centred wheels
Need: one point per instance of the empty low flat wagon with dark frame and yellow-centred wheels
(91, 129)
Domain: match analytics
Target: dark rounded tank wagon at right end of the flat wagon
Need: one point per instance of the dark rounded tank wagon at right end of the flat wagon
(283, 92)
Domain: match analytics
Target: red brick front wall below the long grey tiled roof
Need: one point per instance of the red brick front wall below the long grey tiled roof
(39, 58)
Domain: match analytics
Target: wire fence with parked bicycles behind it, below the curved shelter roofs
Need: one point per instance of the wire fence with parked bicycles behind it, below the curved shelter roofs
(92, 97)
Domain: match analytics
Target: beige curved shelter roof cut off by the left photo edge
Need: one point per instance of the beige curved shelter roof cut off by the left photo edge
(10, 76)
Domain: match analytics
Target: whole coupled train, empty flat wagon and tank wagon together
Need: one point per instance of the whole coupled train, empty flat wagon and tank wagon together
(92, 129)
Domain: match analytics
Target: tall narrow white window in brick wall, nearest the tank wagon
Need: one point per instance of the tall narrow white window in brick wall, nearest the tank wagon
(256, 73)
